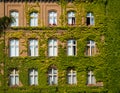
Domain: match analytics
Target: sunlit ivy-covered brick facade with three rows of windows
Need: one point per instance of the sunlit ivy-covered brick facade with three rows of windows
(53, 46)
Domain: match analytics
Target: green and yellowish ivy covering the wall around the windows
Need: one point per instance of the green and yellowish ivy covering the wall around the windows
(105, 64)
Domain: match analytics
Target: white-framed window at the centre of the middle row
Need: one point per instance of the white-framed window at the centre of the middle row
(52, 47)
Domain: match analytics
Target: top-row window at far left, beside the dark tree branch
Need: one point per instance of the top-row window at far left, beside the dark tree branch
(15, 16)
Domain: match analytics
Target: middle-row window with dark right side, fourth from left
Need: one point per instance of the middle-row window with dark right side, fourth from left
(71, 44)
